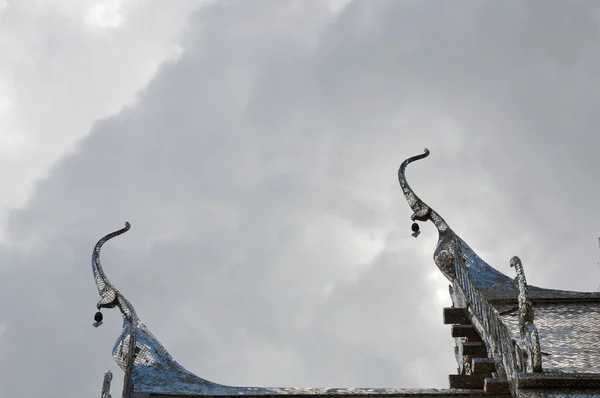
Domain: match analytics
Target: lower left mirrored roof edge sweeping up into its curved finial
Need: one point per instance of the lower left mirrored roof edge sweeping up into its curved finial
(149, 368)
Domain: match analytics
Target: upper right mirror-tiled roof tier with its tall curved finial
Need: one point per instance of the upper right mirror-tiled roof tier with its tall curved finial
(568, 323)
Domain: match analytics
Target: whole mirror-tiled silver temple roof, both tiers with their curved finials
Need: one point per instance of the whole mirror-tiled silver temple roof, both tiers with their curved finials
(568, 322)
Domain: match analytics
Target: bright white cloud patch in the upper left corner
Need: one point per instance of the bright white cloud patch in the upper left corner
(57, 76)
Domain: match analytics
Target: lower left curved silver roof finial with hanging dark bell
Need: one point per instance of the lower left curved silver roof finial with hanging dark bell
(110, 297)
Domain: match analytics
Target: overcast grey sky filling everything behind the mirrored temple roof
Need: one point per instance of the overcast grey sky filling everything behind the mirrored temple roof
(254, 146)
